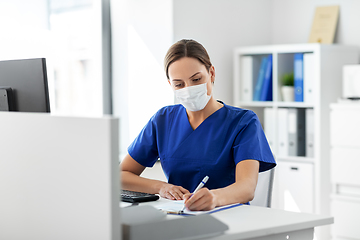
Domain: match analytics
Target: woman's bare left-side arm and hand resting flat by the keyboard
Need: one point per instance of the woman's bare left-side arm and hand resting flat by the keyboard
(130, 171)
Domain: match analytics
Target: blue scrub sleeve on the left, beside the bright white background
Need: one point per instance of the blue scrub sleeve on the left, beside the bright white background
(144, 148)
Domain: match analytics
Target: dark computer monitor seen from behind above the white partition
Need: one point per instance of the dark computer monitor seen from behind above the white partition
(24, 85)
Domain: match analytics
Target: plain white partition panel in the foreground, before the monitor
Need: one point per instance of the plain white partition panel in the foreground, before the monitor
(59, 177)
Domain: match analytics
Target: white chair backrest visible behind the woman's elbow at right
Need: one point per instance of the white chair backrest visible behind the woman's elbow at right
(263, 190)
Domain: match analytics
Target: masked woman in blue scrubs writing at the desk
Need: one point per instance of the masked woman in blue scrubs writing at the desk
(197, 138)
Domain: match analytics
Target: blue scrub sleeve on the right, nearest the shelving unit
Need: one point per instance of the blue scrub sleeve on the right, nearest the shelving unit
(251, 143)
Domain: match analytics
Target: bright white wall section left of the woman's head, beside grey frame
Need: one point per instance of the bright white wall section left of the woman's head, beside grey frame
(141, 35)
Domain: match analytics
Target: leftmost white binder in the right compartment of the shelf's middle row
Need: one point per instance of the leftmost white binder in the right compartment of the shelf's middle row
(282, 128)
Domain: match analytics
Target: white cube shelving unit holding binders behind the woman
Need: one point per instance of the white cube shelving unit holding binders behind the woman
(302, 183)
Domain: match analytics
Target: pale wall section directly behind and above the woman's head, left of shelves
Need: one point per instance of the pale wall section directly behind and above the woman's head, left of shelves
(221, 26)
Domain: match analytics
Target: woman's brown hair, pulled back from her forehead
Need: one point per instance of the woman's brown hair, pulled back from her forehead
(186, 48)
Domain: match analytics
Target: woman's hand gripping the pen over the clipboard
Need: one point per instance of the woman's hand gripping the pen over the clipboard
(202, 200)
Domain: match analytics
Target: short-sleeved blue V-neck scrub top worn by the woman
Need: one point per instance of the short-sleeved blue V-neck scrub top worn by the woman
(222, 140)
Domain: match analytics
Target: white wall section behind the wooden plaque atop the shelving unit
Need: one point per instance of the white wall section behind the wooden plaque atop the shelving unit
(292, 20)
